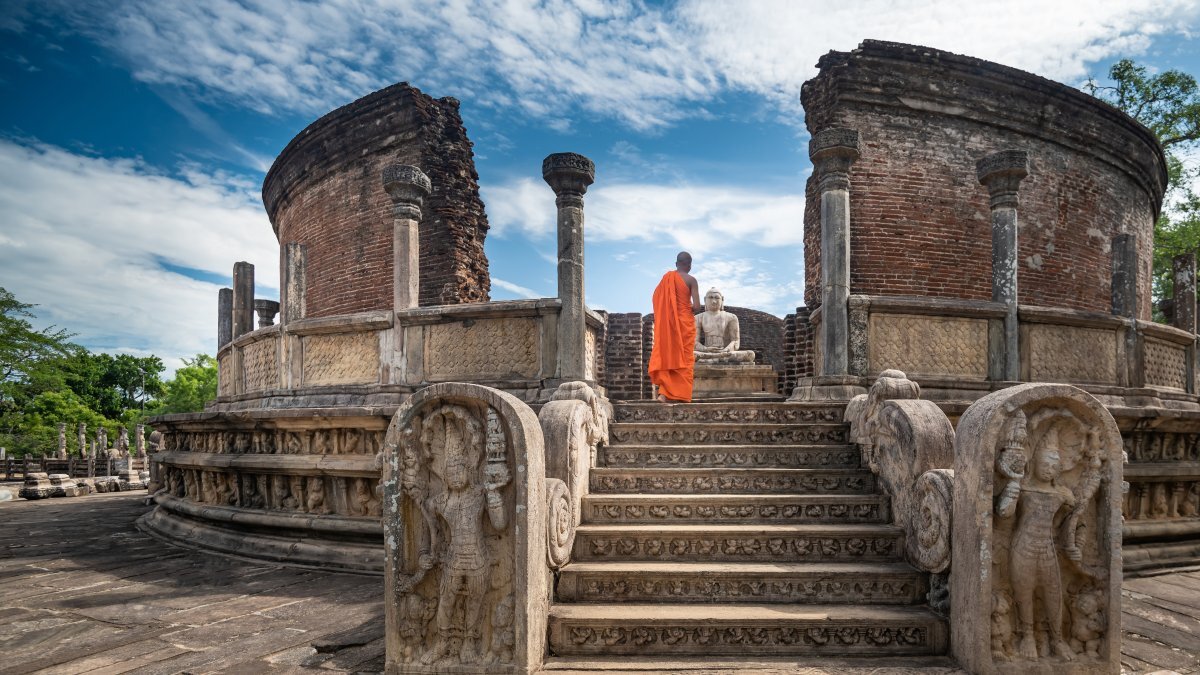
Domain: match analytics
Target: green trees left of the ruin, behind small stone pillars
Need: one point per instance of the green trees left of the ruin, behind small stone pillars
(46, 380)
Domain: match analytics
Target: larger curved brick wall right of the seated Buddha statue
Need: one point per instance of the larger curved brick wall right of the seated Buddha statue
(920, 219)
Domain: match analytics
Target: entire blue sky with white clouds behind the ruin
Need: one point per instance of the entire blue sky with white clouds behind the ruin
(135, 135)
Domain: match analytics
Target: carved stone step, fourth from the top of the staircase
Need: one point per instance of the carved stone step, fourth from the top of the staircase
(731, 481)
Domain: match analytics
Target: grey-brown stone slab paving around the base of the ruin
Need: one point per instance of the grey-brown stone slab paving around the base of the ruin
(82, 590)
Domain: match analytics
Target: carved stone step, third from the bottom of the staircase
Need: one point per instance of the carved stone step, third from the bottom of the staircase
(739, 543)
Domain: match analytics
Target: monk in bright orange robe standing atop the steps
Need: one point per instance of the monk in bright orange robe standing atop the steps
(673, 360)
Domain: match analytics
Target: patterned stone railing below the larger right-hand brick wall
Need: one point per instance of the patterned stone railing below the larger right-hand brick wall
(957, 350)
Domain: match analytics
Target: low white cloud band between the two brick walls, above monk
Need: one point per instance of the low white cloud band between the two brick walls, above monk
(701, 219)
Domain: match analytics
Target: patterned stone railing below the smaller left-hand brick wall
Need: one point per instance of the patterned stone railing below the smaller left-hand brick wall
(382, 356)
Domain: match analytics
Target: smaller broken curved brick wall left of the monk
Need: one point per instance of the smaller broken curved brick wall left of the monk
(325, 190)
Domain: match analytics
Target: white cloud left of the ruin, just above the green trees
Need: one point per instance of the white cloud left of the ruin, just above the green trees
(83, 238)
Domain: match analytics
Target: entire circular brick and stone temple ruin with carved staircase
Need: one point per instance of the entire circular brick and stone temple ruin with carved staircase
(987, 240)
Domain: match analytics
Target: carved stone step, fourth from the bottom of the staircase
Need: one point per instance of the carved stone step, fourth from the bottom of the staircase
(602, 509)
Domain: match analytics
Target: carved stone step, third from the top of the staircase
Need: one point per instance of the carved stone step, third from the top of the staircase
(795, 457)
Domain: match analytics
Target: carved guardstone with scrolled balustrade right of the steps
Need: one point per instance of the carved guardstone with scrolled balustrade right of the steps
(1017, 515)
